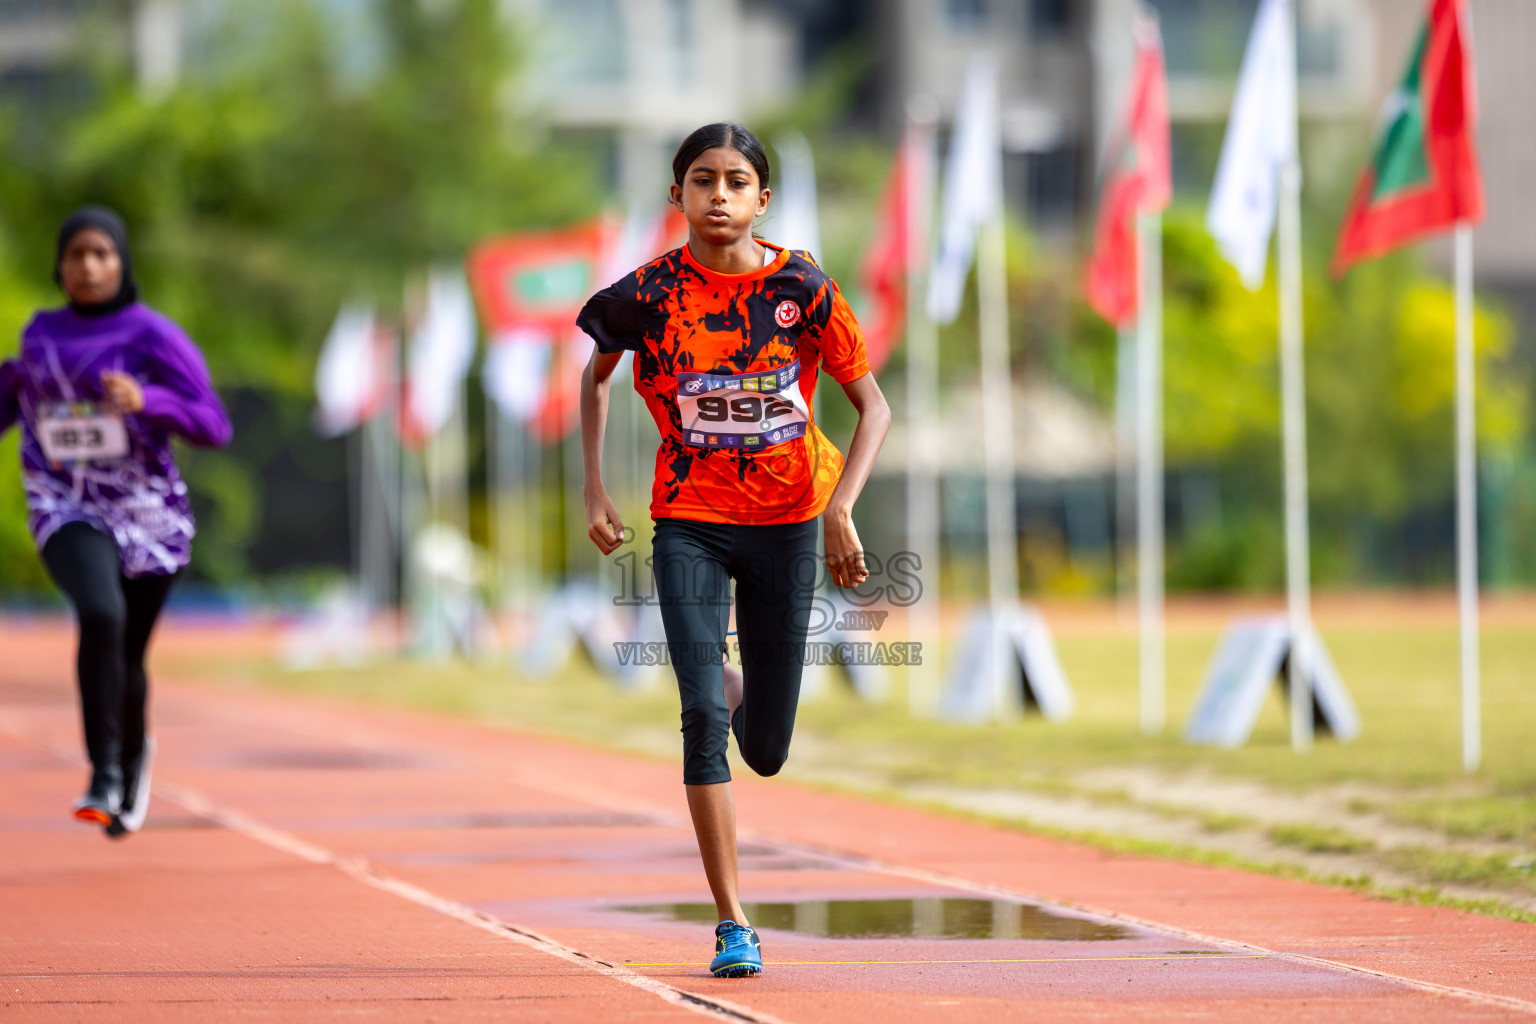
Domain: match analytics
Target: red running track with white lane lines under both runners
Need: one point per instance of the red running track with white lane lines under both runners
(311, 862)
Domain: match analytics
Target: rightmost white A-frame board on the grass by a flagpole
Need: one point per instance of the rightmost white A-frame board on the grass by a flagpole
(1253, 656)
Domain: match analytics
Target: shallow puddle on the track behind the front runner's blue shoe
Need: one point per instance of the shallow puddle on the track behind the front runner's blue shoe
(895, 919)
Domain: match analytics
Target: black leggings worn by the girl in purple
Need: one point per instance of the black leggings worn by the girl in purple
(116, 615)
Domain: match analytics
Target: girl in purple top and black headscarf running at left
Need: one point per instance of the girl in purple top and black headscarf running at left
(99, 389)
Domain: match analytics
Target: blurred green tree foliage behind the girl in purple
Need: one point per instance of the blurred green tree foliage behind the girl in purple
(273, 183)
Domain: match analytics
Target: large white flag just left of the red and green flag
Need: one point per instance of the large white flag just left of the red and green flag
(1262, 139)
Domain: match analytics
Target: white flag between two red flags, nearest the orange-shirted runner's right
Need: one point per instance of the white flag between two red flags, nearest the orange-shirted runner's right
(973, 190)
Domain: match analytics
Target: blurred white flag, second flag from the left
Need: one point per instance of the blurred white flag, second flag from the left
(442, 352)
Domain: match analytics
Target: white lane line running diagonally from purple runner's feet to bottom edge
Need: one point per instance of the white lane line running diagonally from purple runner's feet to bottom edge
(360, 870)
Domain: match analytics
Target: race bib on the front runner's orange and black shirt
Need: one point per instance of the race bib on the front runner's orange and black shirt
(743, 411)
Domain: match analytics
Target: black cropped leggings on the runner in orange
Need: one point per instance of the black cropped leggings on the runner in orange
(776, 570)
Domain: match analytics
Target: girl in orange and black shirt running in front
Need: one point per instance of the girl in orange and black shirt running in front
(730, 335)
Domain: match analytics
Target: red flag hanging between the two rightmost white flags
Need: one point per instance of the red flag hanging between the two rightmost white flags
(1142, 182)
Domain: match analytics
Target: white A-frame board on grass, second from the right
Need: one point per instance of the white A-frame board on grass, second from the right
(1007, 666)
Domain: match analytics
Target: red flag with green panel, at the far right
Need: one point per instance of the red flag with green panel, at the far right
(1425, 174)
